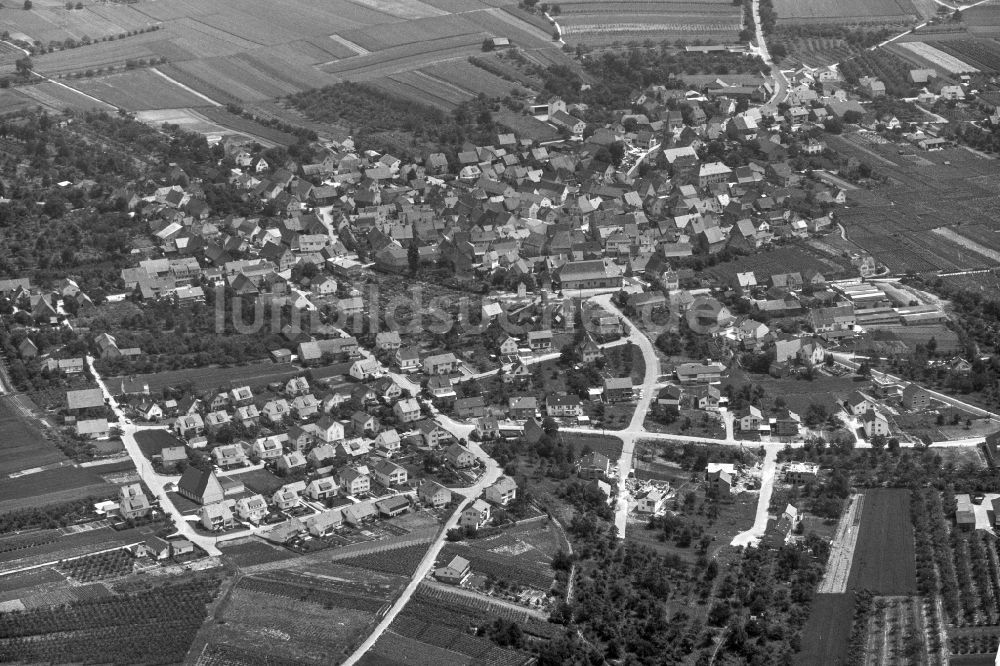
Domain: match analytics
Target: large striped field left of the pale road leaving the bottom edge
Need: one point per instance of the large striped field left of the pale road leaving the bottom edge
(313, 612)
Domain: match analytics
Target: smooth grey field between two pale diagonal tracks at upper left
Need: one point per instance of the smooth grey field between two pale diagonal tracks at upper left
(137, 90)
